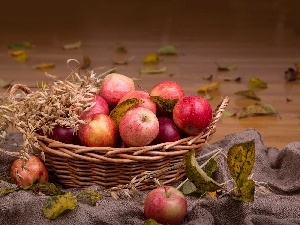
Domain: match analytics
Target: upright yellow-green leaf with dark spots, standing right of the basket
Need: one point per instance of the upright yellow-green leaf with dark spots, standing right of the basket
(240, 161)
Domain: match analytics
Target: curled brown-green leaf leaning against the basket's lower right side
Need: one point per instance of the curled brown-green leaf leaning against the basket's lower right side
(197, 175)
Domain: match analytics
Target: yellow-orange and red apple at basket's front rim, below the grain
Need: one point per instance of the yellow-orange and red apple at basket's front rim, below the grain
(99, 131)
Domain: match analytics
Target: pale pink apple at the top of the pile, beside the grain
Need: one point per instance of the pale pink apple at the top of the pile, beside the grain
(114, 86)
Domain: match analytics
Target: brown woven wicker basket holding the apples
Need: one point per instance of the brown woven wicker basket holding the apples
(80, 166)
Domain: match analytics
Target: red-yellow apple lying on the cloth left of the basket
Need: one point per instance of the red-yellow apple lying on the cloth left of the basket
(36, 173)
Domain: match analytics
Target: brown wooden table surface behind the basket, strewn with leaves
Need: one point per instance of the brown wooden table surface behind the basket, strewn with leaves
(260, 37)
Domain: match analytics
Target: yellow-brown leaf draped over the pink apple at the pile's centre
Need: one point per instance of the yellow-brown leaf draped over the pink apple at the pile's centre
(119, 111)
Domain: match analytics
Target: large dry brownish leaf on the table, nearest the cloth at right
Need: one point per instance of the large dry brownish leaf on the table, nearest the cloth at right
(257, 109)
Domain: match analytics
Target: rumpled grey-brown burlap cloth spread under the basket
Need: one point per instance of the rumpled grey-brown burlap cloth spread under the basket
(280, 169)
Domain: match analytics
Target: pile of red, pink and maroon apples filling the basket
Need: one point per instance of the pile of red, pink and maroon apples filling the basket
(145, 124)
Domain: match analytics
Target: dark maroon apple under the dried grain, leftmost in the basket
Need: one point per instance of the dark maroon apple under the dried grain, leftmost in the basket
(65, 135)
